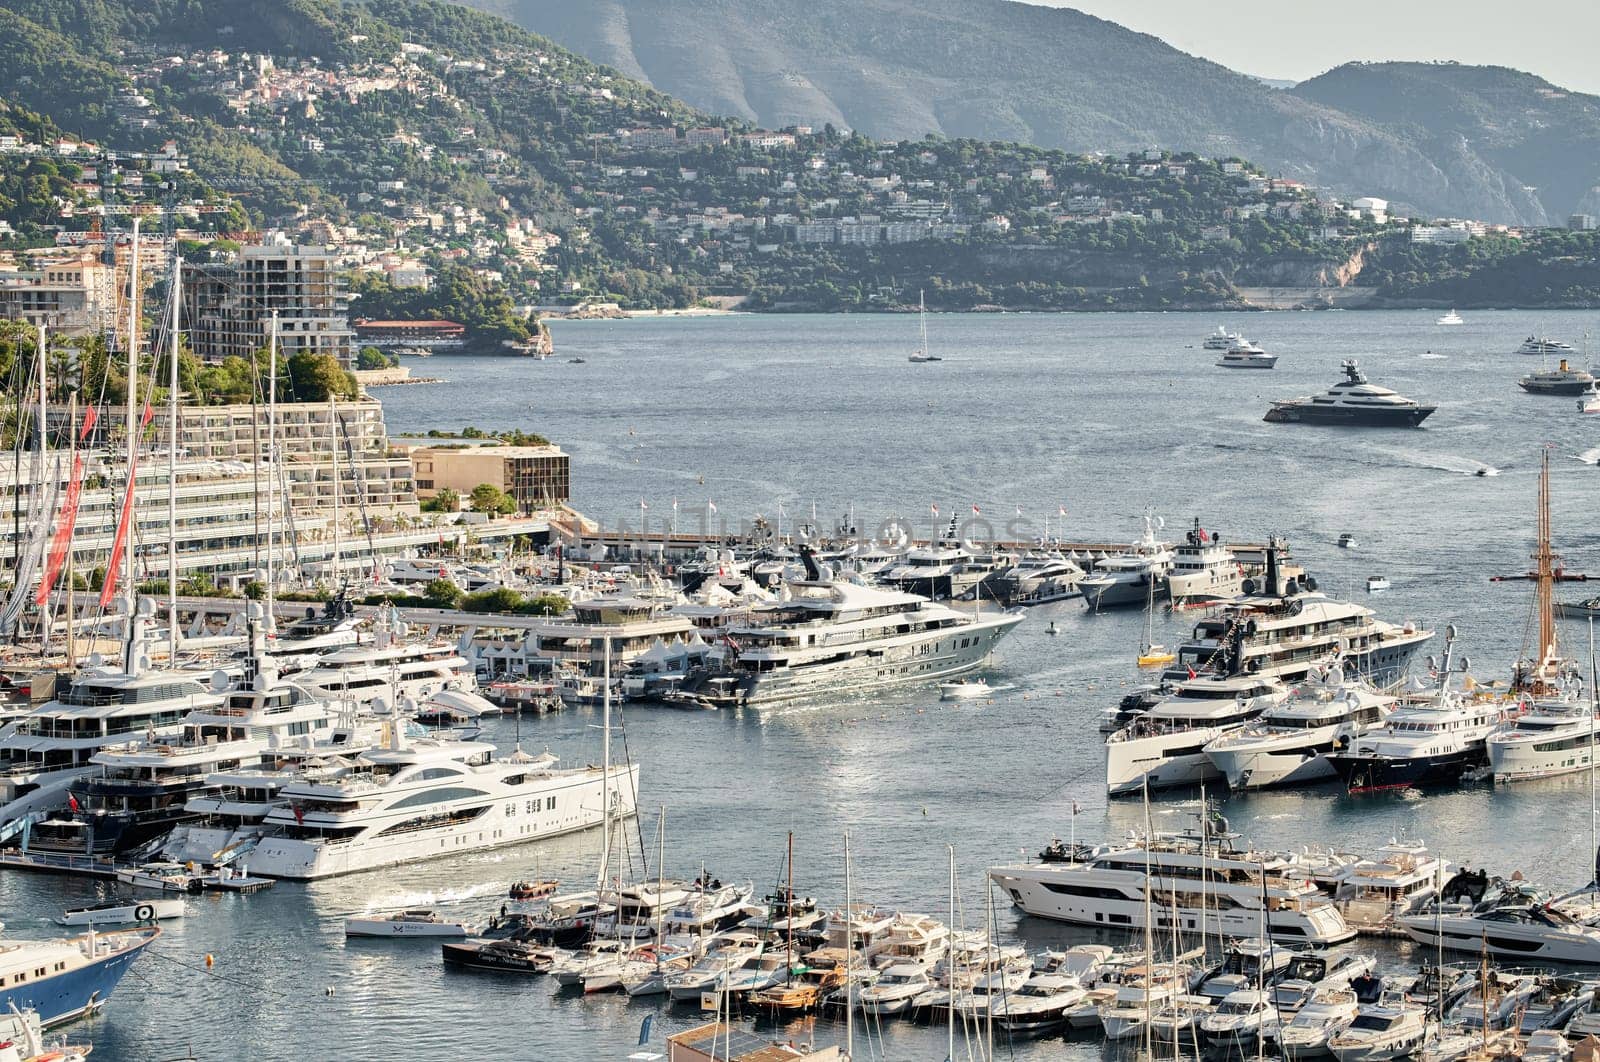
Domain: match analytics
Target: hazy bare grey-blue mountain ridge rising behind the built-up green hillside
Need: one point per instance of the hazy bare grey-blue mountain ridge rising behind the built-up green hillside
(996, 70)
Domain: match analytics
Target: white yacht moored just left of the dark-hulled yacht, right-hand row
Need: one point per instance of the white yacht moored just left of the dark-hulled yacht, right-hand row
(1290, 743)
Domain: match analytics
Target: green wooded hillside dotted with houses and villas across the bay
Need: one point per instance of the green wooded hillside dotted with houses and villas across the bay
(521, 174)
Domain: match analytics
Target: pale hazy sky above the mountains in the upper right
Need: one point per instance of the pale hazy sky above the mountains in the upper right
(1554, 39)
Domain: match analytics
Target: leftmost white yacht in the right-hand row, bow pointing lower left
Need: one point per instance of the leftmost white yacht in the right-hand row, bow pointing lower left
(1166, 748)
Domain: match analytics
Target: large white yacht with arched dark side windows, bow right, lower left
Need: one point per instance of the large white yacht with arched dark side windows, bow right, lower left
(423, 799)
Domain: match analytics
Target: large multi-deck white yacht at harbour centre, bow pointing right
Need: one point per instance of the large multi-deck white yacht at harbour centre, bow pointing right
(841, 637)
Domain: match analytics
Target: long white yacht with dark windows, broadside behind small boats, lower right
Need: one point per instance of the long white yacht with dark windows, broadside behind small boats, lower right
(1201, 879)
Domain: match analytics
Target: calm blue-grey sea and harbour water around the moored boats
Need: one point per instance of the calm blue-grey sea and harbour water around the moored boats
(1106, 415)
